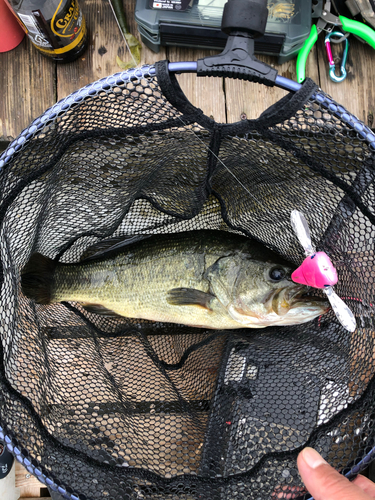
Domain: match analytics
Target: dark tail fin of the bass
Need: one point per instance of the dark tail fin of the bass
(37, 278)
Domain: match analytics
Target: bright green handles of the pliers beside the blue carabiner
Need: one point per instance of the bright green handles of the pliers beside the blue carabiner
(328, 22)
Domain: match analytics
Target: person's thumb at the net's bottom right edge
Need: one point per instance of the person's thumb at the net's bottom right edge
(323, 482)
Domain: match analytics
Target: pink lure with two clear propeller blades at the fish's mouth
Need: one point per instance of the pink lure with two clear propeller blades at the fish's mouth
(317, 270)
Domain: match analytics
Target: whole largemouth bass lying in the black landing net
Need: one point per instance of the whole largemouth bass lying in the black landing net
(207, 279)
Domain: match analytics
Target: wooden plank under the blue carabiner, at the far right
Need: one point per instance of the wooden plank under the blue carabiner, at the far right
(357, 91)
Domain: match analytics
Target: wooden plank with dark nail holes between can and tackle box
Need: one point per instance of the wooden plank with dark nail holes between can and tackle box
(105, 44)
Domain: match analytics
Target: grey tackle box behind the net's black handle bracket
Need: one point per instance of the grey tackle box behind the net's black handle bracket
(197, 24)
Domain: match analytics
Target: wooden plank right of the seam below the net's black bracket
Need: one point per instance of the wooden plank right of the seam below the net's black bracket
(247, 100)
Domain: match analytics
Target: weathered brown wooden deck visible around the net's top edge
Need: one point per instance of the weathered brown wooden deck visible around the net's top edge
(30, 83)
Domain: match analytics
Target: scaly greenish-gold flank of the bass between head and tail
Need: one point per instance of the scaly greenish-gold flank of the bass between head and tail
(134, 284)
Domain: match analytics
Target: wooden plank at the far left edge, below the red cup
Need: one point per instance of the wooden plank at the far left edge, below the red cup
(27, 83)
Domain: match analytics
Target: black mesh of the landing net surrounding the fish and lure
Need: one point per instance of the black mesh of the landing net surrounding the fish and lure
(110, 408)
